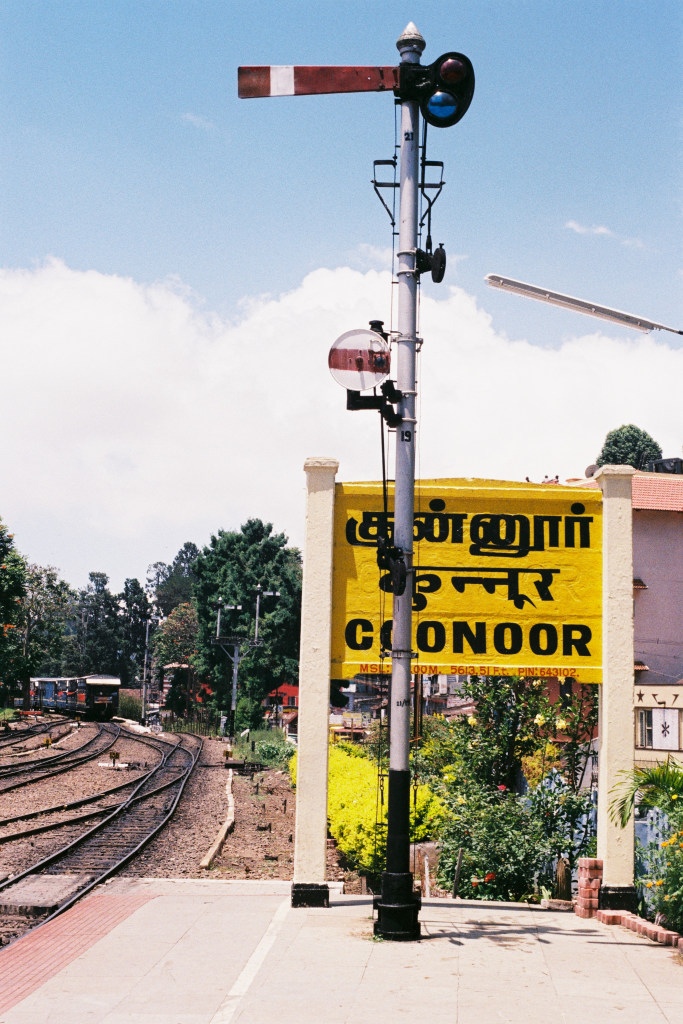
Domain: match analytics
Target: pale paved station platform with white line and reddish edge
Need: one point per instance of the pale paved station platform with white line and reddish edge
(196, 952)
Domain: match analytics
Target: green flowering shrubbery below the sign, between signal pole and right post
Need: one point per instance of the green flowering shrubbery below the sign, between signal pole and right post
(477, 763)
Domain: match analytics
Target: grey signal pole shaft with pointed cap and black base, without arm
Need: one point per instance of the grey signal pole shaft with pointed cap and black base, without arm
(398, 907)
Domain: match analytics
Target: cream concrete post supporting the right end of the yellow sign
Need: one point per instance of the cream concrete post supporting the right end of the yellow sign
(616, 845)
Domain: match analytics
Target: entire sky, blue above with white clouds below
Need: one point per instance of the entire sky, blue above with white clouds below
(158, 238)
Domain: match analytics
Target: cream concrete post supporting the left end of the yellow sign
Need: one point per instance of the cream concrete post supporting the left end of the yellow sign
(310, 887)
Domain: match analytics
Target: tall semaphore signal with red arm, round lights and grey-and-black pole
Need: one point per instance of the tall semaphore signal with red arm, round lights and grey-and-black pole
(442, 93)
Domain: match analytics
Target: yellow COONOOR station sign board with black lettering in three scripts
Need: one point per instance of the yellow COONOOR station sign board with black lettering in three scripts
(508, 580)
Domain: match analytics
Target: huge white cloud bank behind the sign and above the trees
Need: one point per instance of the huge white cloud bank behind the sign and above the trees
(134, 422)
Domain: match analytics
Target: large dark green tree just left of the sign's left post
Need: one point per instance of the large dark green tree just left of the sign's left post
(232, 568)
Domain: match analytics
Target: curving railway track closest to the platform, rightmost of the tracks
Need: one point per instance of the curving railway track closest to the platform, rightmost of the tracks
(57, 882)
